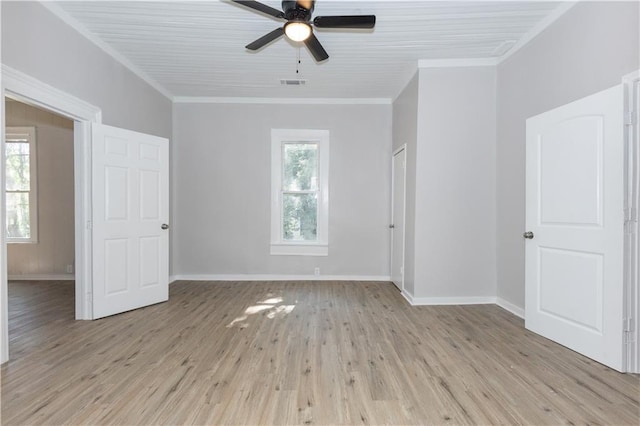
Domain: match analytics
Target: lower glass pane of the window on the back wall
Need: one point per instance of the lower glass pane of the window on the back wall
(300, 217)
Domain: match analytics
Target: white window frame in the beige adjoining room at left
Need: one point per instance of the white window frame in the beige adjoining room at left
(29, 133)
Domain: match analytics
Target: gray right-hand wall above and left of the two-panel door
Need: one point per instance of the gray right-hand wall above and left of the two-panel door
(587, 50)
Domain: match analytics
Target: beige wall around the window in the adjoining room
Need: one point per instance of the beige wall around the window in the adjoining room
(54, 249)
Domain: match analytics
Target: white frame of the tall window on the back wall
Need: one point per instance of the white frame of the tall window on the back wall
(299, 248)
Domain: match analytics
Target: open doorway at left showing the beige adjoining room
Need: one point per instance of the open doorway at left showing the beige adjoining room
(39, 214)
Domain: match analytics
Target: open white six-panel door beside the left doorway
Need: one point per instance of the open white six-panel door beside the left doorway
(130, 184)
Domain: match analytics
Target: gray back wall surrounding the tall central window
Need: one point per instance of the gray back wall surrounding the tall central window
(221, 160)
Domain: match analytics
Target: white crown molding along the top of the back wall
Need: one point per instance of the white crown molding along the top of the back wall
(281, 101)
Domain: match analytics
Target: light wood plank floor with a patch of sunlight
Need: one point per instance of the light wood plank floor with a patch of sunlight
(295, 353)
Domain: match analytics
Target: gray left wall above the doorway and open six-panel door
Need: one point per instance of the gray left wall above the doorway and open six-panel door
(39, 44)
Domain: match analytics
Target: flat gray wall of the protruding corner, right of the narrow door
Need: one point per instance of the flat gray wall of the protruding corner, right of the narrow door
(455, 190)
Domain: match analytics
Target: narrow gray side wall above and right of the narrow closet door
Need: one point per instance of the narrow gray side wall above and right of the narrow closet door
(405, 131)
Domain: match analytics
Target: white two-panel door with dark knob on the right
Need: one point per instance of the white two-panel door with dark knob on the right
(574, 208)
